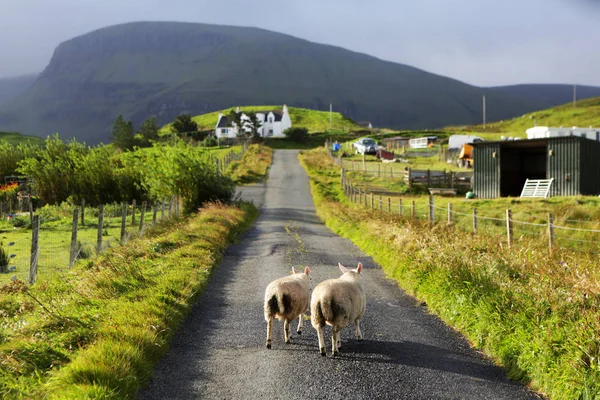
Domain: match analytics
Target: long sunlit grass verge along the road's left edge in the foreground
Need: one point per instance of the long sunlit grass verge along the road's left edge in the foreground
(97, 331)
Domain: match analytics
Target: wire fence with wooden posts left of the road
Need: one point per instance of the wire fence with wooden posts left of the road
(60, 237)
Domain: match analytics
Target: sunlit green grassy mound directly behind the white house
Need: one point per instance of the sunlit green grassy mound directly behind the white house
(313, 120)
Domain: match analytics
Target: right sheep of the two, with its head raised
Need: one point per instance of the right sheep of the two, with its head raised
(337, 302)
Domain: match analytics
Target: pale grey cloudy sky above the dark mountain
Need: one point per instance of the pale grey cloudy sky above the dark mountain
(481, 42)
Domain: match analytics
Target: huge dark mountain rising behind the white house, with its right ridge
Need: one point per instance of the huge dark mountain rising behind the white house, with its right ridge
(169, 68)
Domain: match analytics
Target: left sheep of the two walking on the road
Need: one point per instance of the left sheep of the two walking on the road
(285, 299)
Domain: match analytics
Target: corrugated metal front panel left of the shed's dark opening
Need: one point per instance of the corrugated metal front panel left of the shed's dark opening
(486, 174)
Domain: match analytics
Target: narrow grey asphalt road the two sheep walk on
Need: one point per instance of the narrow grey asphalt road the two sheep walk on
(406, 353)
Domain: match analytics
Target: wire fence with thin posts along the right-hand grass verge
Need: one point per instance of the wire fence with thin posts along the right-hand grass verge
(554, 235)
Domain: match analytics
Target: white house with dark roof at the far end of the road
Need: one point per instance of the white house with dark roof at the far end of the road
(273, 123)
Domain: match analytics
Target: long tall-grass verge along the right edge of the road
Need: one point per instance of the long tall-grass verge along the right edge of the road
(536, 315)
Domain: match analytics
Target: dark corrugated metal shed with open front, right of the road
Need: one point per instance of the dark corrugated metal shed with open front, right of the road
(501, 168)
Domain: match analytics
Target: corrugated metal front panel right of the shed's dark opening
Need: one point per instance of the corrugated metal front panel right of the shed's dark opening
(564, 166)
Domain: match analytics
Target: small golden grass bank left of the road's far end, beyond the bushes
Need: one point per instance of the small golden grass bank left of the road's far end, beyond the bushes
(253, 167)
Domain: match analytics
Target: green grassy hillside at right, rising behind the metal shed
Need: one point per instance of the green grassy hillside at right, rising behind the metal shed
(585, 113)
